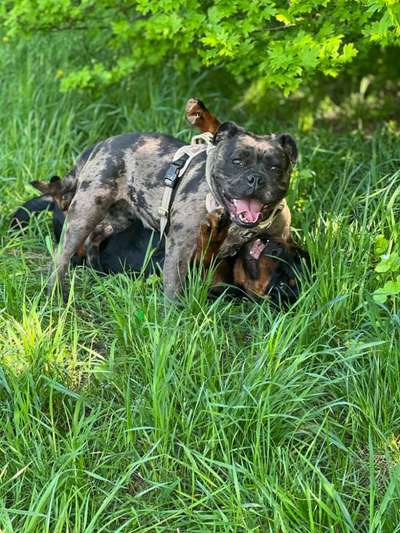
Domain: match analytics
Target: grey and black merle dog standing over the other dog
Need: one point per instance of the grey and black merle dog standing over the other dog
(249, 175)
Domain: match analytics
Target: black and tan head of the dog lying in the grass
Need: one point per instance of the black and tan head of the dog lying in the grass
(270, 269)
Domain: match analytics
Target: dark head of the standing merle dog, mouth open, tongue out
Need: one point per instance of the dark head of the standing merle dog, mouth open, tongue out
(250, 173)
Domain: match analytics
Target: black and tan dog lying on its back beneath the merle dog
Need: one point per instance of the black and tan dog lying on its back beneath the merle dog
(262, 268)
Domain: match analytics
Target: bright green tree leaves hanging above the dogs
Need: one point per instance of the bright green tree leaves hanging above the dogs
(281, 43)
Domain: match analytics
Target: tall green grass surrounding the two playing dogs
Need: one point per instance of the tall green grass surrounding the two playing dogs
(215, 416)
